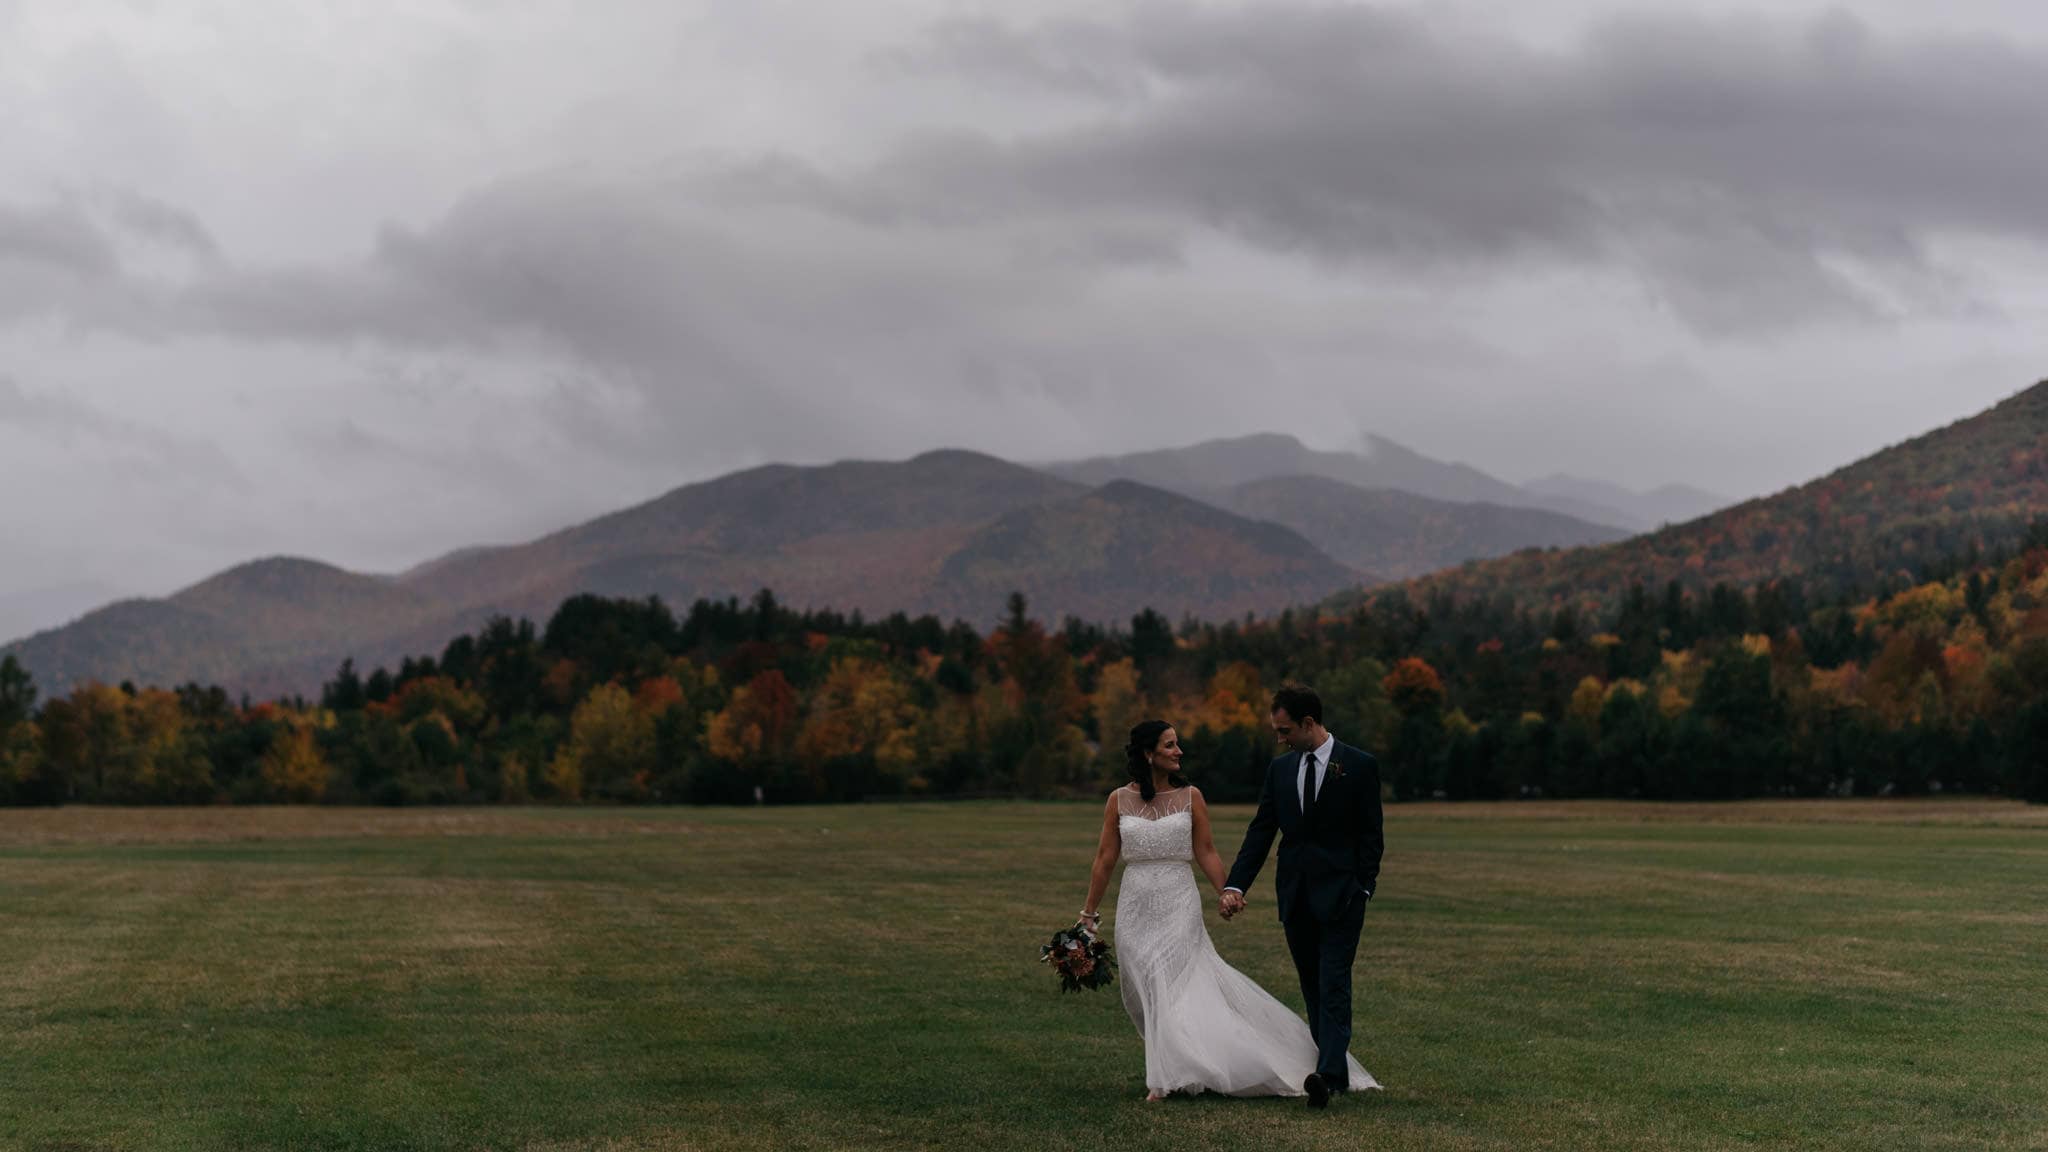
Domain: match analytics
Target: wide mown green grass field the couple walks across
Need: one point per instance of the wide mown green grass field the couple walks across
(1857, 975)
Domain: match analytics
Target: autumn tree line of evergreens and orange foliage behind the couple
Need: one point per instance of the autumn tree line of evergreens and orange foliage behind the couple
(1934, 684)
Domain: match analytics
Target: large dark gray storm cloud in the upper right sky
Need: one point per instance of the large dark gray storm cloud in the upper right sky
(1758, 175)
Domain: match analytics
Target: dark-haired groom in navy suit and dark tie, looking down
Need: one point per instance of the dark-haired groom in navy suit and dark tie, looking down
(1324, 800)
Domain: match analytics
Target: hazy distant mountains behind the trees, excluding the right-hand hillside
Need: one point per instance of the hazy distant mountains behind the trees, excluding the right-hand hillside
(1215, 530)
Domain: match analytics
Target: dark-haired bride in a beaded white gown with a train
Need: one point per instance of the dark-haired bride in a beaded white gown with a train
(1205, 1024)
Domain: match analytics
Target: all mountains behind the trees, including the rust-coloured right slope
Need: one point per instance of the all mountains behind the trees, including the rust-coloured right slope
(1218, 530)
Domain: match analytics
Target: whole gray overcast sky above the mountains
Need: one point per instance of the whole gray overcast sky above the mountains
(370, 282)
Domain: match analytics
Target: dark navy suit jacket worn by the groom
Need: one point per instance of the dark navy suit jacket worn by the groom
(1330, 860)
